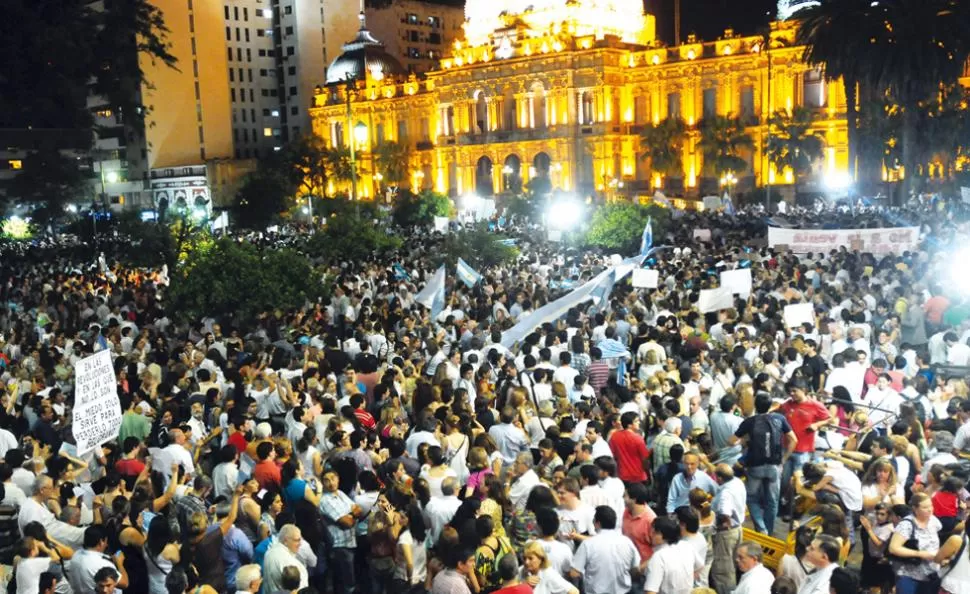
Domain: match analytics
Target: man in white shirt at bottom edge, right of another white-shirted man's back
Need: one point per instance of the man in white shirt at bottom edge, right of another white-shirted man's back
(671, 568)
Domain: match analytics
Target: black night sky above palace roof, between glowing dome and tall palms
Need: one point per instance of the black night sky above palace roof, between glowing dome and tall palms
(709, 18)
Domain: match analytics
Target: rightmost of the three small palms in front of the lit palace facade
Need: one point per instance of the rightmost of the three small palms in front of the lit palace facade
(792, 143)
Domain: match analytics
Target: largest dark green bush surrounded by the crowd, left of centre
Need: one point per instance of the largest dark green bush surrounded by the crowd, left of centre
(228, 278)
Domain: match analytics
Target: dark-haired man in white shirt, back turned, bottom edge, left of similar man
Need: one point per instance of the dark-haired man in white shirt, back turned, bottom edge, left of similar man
(606, 561)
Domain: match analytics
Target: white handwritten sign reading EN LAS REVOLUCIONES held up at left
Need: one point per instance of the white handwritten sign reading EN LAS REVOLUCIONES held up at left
(97, 410)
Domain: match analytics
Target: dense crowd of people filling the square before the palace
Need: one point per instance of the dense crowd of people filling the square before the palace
(360, 446)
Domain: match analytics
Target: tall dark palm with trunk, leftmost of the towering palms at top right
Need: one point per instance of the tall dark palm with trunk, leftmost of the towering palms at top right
(842, 36)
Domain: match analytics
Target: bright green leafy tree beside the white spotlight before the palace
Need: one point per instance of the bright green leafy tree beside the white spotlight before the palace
(619, 226)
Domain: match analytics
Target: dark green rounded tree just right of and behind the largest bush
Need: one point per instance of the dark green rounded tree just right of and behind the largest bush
(351, 236)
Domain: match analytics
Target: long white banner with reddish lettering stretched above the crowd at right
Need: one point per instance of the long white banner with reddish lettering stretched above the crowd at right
(876, 241)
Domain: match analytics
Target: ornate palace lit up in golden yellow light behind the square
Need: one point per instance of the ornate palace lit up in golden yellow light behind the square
(562, 89)
